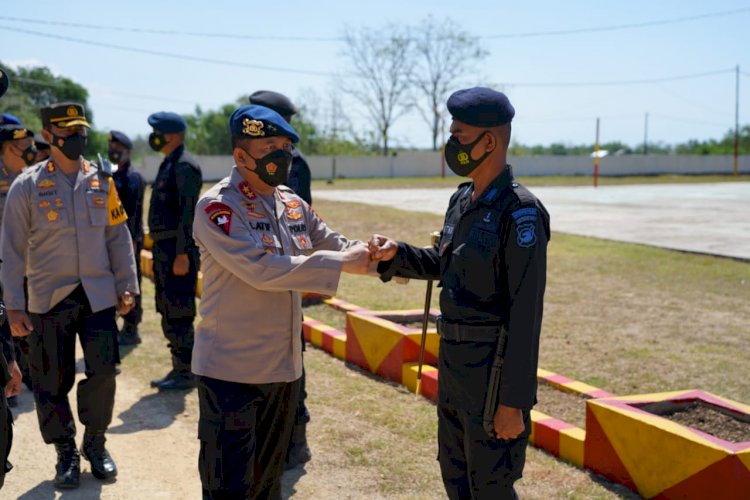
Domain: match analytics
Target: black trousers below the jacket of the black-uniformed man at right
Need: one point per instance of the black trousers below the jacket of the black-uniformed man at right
(473, 465)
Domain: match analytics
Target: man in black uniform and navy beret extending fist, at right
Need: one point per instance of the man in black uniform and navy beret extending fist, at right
(491, 261)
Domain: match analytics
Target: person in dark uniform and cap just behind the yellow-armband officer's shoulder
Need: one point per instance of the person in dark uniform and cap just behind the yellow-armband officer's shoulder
(130, 187)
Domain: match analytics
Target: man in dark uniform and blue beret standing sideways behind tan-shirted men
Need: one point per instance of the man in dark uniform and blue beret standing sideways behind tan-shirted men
(170, 219)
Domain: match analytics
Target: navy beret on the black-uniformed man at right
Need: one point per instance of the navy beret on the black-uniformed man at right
(481, 107)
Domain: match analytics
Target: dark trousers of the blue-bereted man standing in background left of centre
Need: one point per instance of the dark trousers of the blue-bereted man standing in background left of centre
(175, 301)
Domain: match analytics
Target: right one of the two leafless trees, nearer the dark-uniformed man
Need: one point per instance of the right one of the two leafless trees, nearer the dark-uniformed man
(445, 57)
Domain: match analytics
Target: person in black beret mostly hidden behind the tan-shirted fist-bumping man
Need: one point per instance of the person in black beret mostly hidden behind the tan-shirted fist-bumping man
(299, 180)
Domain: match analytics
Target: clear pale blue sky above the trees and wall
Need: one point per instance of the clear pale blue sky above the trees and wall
(125, 87)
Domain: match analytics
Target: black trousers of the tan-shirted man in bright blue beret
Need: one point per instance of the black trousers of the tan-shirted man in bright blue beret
(244, 431)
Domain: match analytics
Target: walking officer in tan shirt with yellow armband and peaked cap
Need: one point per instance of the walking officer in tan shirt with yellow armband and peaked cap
(64, 230)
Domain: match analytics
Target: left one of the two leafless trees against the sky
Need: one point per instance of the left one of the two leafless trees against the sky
(381, 62)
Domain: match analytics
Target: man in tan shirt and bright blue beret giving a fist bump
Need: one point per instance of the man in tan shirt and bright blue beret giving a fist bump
(261, 245)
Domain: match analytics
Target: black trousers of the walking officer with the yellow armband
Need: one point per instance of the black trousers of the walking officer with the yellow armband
(52, 366)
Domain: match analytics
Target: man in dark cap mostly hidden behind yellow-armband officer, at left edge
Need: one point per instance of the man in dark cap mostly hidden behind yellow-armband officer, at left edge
(17, 151)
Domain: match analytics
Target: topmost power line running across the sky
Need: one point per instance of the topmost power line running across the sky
(243, 36)
